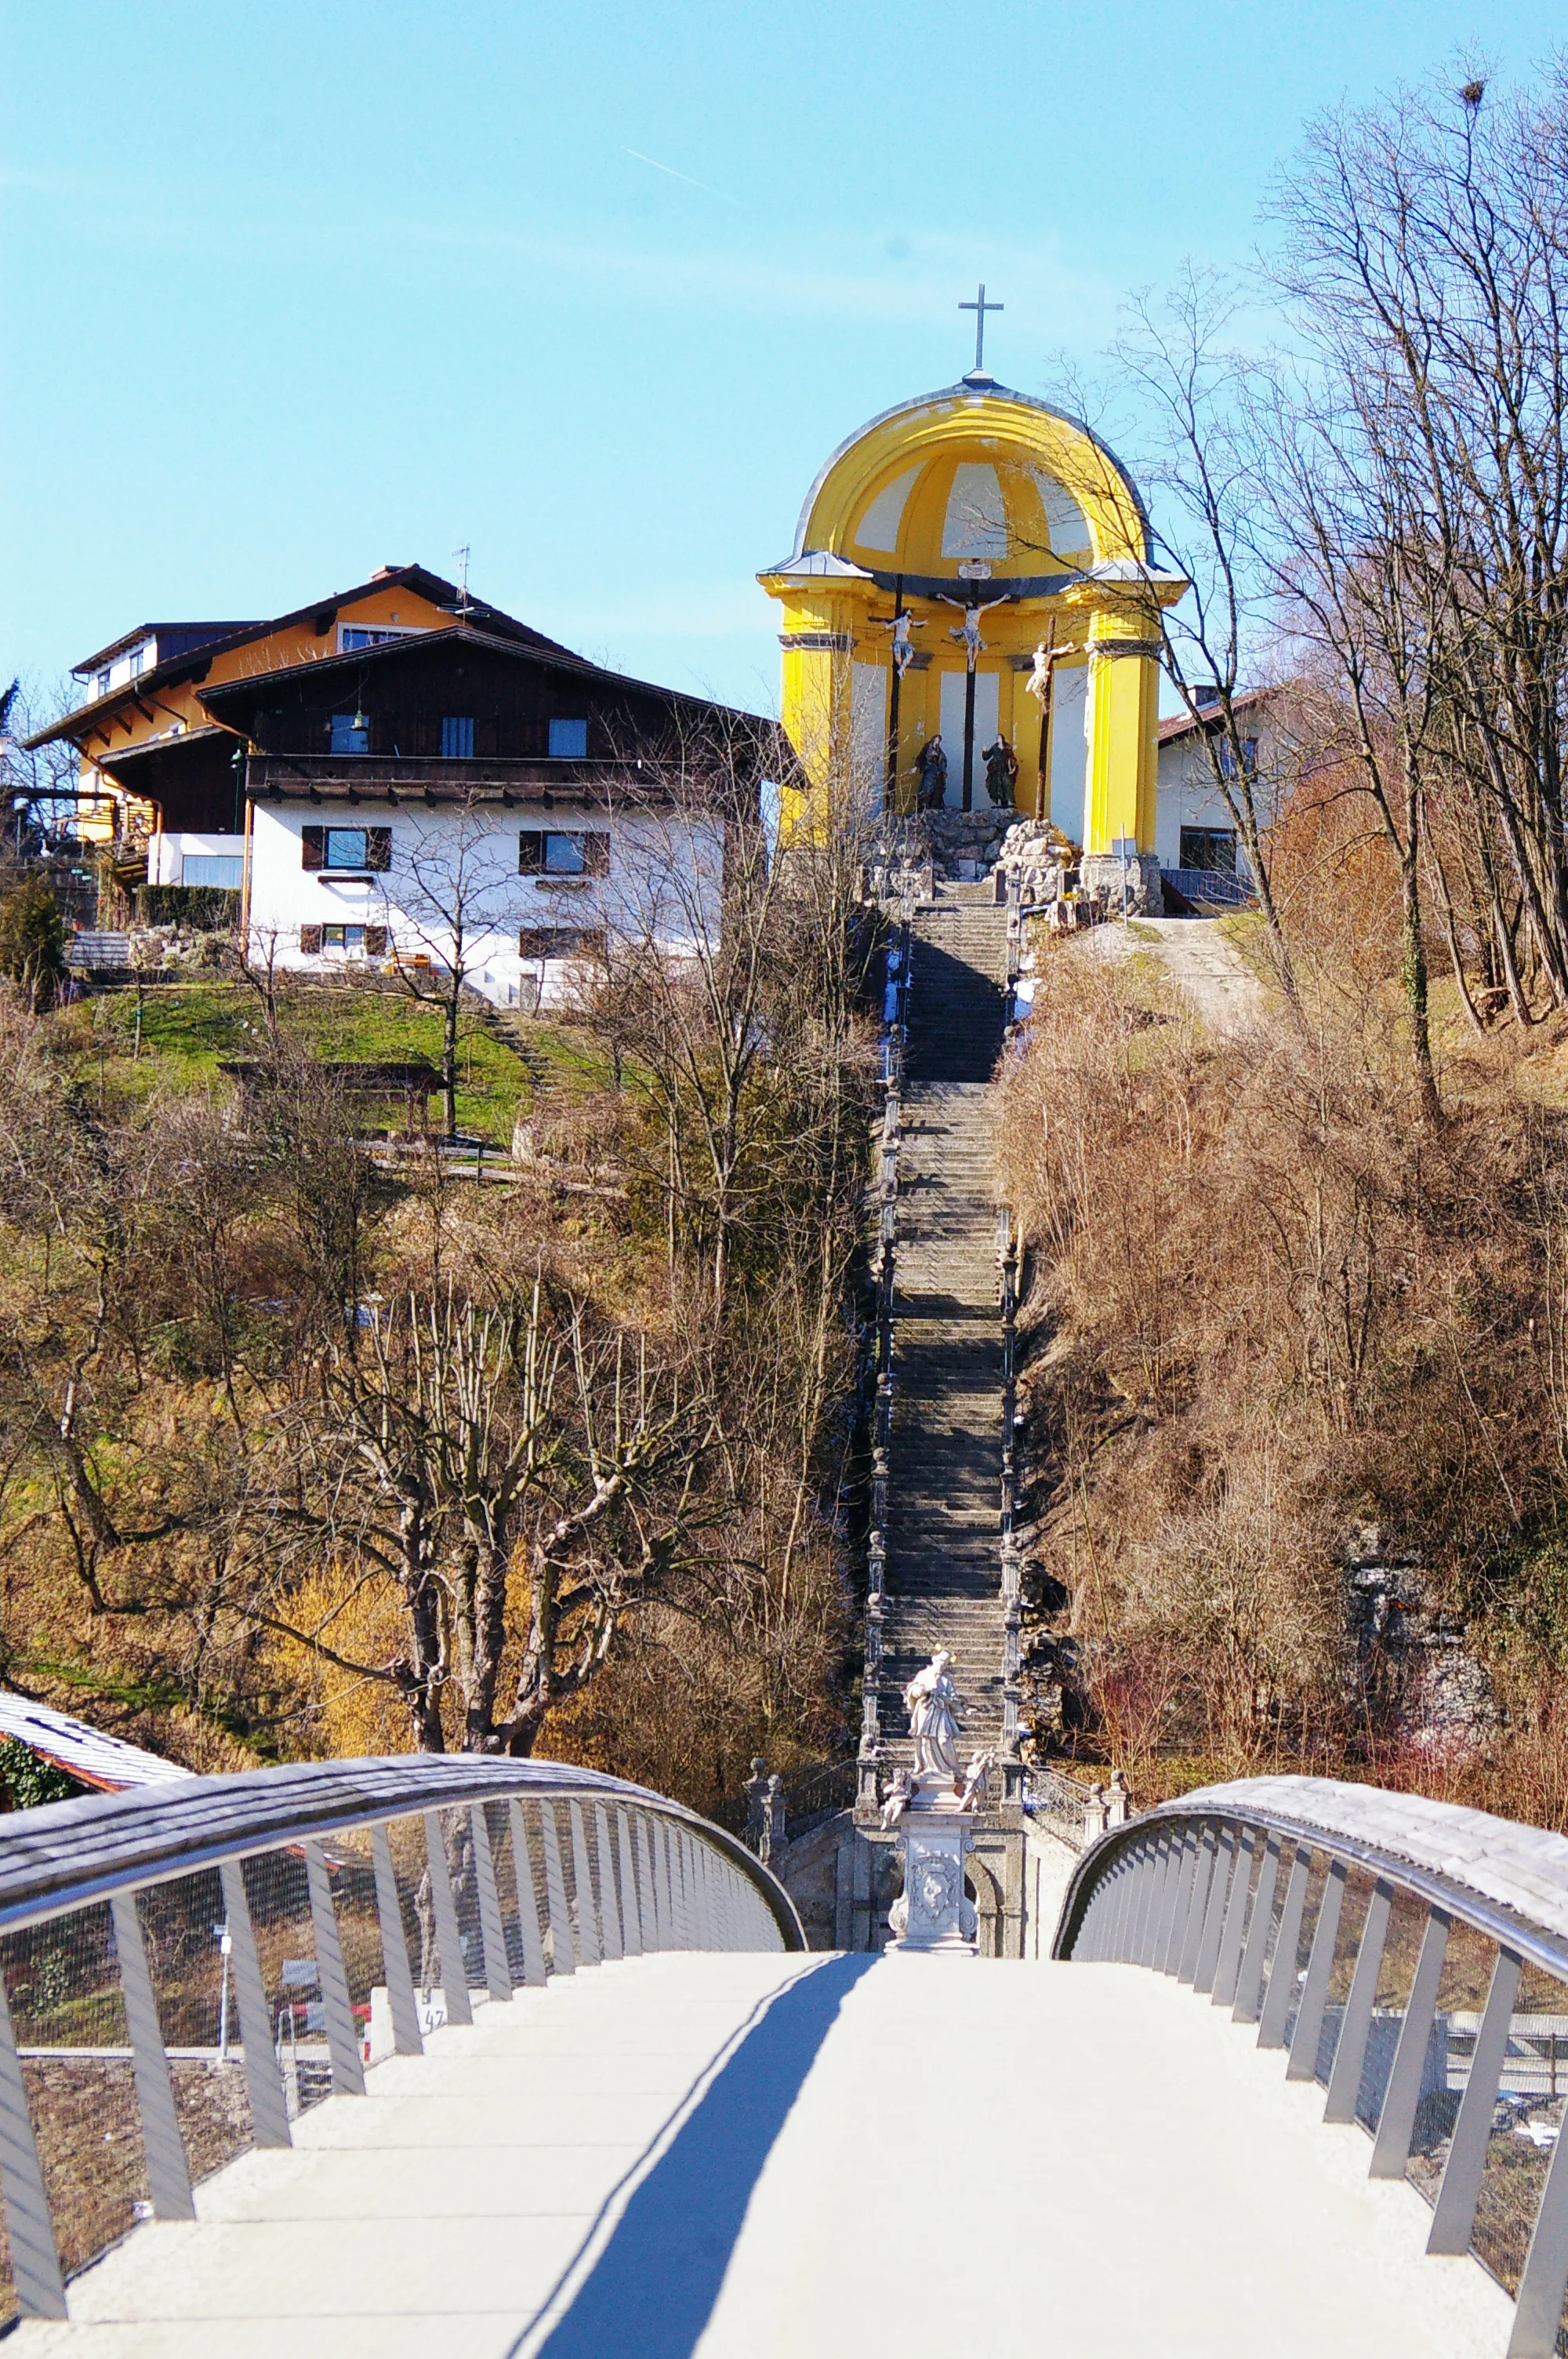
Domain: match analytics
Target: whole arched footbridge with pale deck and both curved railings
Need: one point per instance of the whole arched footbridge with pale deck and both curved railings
(470, 2058)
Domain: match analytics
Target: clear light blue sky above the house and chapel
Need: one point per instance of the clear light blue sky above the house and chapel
(303, 287)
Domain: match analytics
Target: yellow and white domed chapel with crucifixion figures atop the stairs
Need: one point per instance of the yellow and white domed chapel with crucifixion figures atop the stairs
(973, 617)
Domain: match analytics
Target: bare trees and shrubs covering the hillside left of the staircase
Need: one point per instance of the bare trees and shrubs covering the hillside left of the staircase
(303, 1454)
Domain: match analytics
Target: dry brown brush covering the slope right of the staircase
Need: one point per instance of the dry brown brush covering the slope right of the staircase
(1272, 1310)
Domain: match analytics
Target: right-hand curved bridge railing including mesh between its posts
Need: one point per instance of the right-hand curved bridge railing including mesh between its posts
(1411, 1957)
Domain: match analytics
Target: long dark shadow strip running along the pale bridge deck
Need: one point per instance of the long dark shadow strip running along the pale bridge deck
(652, 2289)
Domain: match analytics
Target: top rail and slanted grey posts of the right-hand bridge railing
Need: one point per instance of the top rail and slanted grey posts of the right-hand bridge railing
(1199, 1891)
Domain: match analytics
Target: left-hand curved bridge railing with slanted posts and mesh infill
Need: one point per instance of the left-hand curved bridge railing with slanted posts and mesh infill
(192, 1966)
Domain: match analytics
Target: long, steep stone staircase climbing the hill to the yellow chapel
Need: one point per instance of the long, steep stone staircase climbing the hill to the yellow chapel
(947, 1443)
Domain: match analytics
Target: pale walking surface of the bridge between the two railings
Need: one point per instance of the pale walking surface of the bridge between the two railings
(777, 2157)
